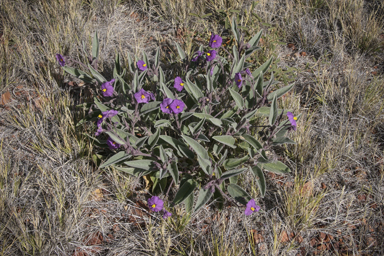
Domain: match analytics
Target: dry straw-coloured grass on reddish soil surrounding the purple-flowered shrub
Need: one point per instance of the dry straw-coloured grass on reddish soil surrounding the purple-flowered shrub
(55, 201)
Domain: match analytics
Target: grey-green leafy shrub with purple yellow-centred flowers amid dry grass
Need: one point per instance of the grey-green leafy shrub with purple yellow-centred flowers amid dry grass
(196, 130)
